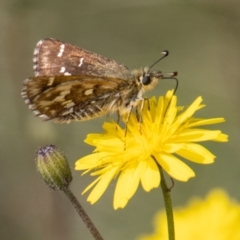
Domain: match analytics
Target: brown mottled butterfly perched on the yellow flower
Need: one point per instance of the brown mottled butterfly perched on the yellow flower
(71, 83)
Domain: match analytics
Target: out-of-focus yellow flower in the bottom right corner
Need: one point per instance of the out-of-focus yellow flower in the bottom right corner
(216, 217)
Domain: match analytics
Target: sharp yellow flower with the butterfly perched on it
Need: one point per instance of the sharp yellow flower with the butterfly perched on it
(136, 155)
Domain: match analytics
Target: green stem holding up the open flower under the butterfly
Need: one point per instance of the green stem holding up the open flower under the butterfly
(168, 206)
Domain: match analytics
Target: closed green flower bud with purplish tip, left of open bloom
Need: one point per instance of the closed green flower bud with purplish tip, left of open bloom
(53, 167)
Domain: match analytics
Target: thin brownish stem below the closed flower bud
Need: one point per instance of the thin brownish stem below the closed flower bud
(83, 214)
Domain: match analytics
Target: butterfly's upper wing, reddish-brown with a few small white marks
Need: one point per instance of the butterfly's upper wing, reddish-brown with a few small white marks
(54, 58)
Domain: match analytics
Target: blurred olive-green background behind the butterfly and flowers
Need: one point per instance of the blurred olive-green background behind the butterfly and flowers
(203, 38)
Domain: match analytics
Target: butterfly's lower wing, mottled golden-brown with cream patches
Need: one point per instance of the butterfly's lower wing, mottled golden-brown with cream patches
(66, 98)
